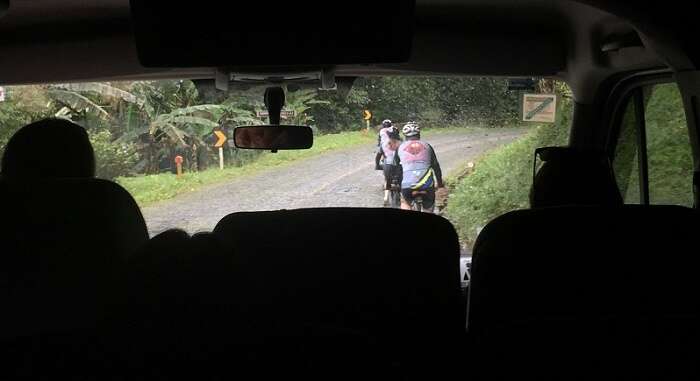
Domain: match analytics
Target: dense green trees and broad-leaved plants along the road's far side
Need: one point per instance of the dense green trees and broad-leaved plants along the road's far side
(139, 127)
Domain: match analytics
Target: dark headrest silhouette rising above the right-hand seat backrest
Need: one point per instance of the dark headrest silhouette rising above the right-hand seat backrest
(573, 177)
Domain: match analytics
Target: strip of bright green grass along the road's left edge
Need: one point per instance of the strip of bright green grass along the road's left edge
(149, 189)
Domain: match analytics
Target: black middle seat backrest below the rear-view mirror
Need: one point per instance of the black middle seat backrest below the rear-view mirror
(387, 273)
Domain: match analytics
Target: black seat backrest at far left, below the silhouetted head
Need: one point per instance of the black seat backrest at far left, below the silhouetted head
(64, 242)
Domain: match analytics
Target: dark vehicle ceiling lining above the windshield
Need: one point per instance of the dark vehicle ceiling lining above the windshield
(76, 40)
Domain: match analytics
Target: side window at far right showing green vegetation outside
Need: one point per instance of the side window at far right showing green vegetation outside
(653, 144)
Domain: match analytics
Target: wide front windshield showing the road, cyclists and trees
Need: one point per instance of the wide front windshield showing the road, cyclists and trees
(466, 144)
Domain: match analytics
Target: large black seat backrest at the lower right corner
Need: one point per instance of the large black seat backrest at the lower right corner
(595, 288)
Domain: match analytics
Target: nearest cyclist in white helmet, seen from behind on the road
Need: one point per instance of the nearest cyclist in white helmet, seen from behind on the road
(421, 169)
